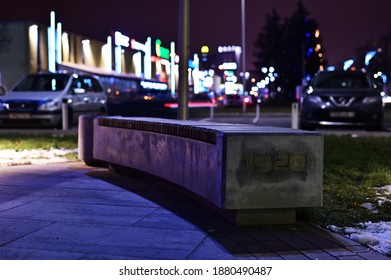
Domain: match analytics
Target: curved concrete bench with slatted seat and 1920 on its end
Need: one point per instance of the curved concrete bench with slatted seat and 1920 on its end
(255, 174)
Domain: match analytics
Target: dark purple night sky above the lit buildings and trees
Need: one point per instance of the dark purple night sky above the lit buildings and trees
(344, 24)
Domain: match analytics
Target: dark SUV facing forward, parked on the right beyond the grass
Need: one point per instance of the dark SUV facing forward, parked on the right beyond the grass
(344, 98)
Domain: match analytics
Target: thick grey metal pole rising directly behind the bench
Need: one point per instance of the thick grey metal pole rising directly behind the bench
(184, 30)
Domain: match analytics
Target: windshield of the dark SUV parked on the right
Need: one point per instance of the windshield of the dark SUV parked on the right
(342, 81)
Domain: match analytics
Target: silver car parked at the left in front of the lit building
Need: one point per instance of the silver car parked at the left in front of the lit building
(39, 99)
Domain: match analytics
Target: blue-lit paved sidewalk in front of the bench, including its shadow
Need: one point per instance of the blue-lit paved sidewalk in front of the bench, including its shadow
(72, 211)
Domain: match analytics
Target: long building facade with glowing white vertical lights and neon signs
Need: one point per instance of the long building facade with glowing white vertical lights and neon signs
(27, 47)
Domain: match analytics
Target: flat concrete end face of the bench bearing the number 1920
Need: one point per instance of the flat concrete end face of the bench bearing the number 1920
(282, 169)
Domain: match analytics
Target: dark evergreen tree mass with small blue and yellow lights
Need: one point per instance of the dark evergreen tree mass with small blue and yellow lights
(293, 48)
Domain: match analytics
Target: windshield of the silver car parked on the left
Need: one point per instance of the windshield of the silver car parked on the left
(49, 82)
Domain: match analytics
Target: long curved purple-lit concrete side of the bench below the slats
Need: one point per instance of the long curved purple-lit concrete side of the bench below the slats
(192, 164)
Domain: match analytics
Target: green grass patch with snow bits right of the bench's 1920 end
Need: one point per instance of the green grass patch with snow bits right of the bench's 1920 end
(355, 170)
